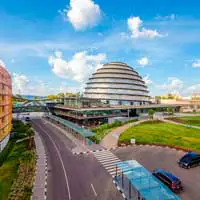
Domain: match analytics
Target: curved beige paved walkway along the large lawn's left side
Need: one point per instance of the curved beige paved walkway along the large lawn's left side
(111, 140)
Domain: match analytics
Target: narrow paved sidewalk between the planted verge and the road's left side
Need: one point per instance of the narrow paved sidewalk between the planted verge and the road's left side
(40, 186)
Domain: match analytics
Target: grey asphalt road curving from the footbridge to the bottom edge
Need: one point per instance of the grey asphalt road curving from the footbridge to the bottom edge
(73, 177)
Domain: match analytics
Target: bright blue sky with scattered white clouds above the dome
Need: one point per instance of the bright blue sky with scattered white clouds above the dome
(54, 46)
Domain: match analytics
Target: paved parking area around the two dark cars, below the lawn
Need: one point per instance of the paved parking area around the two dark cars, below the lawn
(152, 157)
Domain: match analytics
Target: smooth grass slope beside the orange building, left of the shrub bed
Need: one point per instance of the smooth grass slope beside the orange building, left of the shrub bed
(8, 171)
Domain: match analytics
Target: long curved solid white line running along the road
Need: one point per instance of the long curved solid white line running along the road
(59, 155)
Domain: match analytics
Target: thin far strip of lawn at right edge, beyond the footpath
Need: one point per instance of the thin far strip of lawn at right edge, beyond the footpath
(191, 120)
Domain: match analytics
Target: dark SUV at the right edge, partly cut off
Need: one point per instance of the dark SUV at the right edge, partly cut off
(189, 160)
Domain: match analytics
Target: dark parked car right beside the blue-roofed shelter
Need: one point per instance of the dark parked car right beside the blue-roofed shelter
(169, 180)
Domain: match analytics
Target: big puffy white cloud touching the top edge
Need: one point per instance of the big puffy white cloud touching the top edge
(82, 14)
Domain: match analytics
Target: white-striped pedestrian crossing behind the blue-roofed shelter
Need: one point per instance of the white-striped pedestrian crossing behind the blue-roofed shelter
(108, 160)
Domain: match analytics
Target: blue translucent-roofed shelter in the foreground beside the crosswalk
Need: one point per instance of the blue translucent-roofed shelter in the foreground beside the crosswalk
(137, 183)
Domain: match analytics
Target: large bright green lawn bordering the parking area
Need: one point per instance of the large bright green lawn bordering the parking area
(157, 132)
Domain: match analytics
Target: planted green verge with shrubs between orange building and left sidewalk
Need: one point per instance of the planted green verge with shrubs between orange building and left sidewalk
(17, 164)
